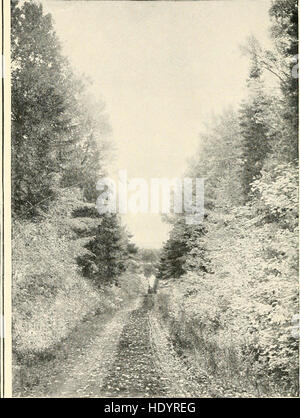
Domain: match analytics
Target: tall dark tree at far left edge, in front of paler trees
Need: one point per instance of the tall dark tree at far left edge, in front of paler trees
(39, 108)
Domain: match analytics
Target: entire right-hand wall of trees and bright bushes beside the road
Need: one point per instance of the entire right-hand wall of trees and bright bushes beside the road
(234, 295)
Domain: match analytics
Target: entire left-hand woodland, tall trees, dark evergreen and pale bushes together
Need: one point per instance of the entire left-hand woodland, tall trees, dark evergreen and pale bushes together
(68, 260)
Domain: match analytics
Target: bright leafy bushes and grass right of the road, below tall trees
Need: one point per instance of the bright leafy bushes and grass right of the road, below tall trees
(236, 319)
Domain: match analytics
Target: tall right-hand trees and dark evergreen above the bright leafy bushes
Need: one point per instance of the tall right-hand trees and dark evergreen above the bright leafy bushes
(240, 149)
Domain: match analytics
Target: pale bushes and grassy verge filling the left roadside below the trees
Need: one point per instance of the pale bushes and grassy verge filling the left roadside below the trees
(53, 304)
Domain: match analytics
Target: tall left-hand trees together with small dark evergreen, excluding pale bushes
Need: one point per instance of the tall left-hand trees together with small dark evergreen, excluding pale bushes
(60, 143)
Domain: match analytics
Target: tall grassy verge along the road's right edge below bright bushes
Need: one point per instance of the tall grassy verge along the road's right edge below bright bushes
(231, 372)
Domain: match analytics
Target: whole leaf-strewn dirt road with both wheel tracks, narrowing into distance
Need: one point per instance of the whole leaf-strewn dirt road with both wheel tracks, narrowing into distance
(131, 356)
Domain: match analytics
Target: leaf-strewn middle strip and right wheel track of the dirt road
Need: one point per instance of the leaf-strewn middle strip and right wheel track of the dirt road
(146, 364)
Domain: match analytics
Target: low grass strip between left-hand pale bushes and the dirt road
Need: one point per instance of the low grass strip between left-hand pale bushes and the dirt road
(38, 372)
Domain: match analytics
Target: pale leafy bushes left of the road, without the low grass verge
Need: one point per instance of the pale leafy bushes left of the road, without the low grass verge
(50, 296)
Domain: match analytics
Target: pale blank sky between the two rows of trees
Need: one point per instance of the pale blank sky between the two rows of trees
(162, 68)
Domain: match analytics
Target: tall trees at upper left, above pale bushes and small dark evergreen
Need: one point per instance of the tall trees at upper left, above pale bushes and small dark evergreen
(58, 134)
